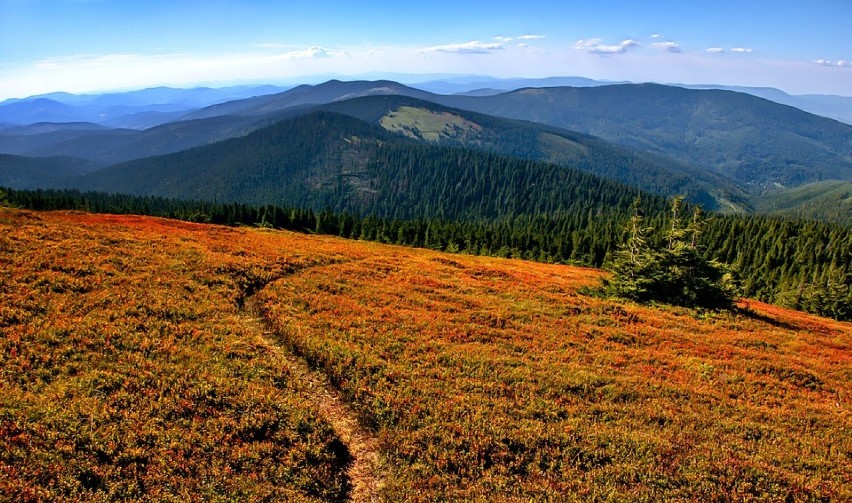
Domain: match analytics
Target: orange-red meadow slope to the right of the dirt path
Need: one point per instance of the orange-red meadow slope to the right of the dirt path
(489, 378)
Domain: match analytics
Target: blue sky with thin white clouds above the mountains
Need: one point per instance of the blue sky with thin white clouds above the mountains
(101, 45)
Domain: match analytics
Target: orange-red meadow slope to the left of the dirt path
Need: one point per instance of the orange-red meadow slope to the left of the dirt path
(127, 371)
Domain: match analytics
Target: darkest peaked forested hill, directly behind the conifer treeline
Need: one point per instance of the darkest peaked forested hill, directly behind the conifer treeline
(329, 160)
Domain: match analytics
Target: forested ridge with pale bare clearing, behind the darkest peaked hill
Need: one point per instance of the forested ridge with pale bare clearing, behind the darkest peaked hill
(432, 123)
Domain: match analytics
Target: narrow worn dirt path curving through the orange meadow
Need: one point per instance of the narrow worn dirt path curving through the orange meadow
(365, 473)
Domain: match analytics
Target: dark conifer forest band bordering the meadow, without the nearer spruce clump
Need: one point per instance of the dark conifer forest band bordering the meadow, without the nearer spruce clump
(802, 264)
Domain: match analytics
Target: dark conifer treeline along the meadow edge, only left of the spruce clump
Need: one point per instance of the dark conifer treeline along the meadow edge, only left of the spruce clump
(582, 238)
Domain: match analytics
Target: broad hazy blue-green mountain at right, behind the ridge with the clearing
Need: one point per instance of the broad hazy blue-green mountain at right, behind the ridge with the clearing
(755, 141)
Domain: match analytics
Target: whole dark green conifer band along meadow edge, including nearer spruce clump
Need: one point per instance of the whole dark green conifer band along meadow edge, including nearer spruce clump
(796, 263)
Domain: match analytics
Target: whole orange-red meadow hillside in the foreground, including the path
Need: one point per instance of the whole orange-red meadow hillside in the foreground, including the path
(149, 359)
